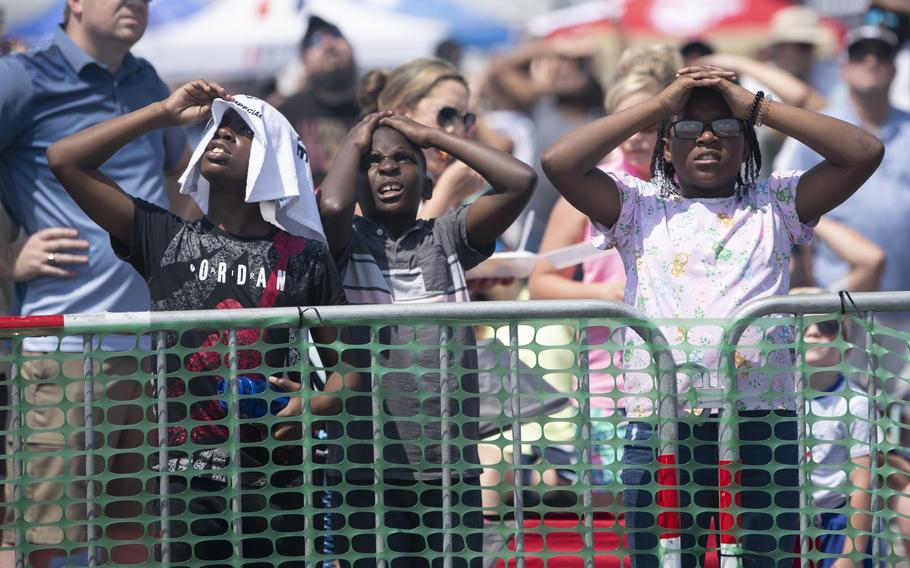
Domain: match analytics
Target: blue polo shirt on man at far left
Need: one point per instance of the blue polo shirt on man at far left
(46, 94)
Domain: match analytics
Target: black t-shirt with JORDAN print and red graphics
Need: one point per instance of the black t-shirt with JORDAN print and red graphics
(194, 265)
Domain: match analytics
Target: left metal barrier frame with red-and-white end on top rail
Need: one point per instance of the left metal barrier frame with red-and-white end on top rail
(495, 314)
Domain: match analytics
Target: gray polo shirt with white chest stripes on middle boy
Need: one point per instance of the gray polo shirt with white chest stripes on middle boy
(425, 264)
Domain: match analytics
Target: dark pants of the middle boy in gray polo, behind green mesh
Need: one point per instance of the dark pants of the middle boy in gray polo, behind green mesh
(412, 523)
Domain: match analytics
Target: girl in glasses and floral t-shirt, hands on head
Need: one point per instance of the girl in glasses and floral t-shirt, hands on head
(700, 238)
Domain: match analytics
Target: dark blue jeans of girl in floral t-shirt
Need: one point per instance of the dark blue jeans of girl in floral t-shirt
(766, 529)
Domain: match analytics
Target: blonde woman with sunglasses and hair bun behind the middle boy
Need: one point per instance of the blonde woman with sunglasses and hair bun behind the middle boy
(434, 93)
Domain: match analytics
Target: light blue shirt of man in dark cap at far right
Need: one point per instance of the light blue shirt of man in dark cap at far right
(880, 209)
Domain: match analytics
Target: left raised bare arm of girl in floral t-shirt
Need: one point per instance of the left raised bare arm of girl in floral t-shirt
(571, 162)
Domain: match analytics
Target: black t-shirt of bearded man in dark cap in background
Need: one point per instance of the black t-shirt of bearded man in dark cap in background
(321, 127)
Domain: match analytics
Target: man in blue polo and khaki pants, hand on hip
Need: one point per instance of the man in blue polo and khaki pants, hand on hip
(84, 75)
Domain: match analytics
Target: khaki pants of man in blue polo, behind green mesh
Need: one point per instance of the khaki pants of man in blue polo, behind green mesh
(47, 386)
